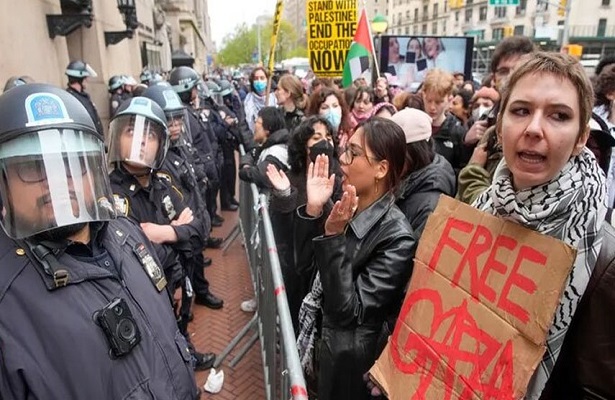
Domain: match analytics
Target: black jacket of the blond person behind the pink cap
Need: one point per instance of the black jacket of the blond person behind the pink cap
(448, 141)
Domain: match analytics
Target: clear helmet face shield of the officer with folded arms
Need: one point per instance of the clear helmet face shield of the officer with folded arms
(137, 141)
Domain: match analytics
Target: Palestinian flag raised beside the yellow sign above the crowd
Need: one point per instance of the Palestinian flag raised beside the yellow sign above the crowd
(361, 49)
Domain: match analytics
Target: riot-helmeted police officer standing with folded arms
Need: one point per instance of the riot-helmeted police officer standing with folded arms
(138, 144)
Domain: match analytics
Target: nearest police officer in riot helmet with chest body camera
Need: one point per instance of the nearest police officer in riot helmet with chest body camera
(84, 313)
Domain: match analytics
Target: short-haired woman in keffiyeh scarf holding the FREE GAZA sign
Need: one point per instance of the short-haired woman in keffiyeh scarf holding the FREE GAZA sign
(549, 182)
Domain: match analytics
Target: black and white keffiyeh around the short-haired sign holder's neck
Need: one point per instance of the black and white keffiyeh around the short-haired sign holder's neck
(571, 207)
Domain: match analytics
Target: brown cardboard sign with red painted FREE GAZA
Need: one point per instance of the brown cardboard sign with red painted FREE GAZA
(476, 316)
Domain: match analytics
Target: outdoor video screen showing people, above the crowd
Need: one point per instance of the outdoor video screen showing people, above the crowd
(408, 58)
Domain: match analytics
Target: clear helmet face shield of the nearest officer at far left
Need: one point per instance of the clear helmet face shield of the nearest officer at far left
(53, 178)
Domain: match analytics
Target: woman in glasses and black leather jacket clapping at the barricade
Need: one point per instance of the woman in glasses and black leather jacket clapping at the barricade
(363, 254)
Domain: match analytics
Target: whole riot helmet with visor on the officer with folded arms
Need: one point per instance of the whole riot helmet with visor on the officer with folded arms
(138, 136)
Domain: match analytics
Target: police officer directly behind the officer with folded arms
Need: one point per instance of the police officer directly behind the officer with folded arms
(179, 166)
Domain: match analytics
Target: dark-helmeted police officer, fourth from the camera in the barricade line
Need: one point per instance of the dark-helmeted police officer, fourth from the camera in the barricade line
(186, 82)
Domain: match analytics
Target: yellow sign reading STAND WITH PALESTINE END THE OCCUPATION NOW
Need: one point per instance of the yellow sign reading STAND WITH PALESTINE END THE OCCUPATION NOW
(331, 26)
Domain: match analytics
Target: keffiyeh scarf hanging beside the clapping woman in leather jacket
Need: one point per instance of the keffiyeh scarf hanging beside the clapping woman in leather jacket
(308, 320)
